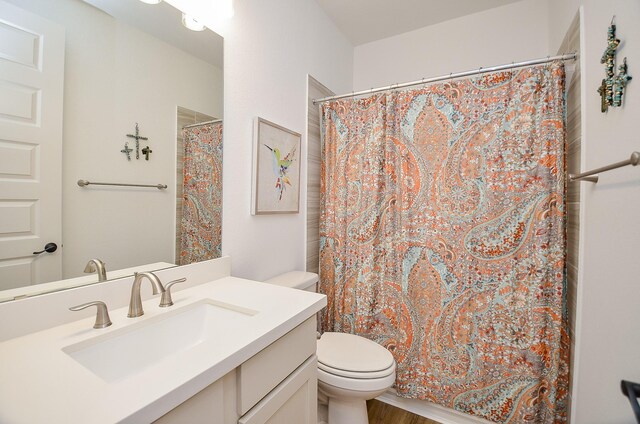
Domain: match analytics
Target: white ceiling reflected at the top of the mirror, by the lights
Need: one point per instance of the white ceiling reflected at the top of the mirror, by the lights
(164, 22)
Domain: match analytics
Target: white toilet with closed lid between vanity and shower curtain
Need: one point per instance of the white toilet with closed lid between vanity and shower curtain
(351, 369)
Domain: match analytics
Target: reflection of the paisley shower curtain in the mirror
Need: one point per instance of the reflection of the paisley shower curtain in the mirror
(201, 223)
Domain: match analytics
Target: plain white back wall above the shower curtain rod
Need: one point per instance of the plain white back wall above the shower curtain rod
(496, 36)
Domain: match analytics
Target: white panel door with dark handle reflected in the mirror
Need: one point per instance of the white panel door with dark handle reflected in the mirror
(31, 91)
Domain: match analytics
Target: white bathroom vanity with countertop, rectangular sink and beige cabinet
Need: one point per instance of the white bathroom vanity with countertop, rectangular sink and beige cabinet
(245, 354)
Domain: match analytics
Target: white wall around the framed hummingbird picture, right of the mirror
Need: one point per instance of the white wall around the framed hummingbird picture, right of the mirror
(270, 47)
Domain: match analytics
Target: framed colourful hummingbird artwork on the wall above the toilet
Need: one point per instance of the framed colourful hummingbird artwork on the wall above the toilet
(276, 169)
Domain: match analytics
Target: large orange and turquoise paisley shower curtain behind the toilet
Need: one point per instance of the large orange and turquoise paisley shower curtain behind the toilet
(443, 239)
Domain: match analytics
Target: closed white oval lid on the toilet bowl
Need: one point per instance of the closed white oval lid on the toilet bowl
(349, 352)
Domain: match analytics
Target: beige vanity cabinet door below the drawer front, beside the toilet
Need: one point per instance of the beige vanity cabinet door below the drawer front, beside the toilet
(292, 401)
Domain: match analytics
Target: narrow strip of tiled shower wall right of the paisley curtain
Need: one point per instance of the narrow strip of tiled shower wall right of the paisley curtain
(571, 43)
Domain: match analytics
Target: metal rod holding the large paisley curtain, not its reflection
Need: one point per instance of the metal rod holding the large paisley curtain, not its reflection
(568, 56)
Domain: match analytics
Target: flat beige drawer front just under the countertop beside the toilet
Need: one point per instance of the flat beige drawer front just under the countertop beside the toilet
(264, 371)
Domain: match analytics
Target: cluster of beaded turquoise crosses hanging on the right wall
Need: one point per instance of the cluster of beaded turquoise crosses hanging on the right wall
(612, 87)
